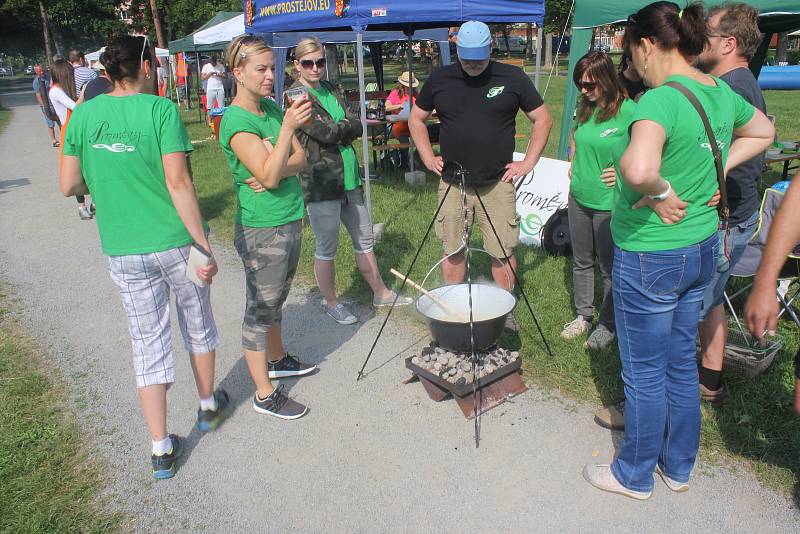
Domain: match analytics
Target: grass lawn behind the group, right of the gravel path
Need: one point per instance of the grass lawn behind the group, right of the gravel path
(756, 424)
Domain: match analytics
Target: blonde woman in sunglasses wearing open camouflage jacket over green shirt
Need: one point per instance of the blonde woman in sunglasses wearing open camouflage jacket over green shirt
(332, 183)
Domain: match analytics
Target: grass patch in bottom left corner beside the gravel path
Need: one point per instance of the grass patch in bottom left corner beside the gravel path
(47, 484)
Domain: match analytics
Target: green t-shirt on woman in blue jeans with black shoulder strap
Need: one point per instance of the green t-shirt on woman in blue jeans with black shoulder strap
(686, 163)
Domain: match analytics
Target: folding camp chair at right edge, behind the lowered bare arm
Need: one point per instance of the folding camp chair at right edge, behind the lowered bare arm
(747, 266)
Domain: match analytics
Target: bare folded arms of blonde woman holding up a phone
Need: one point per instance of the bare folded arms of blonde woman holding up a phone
(270, 167)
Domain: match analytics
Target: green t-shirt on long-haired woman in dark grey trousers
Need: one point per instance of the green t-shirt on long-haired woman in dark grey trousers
(594, 143)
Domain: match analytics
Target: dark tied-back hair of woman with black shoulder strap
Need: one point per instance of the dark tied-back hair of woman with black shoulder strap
(668, 27)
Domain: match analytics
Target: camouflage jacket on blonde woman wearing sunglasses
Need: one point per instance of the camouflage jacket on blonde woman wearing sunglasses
(323, 177)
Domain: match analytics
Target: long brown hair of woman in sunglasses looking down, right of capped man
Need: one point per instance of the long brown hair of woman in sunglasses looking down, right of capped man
(610, 93)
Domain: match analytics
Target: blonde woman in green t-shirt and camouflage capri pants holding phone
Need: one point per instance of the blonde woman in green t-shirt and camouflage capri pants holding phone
(264, 156)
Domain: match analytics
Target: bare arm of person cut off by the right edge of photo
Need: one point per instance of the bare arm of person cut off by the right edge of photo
(761, 310)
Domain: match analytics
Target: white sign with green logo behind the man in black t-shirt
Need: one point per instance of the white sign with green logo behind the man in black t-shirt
(543, 191)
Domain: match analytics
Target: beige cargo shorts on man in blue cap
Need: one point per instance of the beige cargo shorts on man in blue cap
(500, 200)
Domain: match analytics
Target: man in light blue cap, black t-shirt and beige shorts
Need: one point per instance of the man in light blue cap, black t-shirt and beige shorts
(477, 101)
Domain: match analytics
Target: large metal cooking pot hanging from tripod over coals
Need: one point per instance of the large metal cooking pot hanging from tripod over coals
(490, 306)
